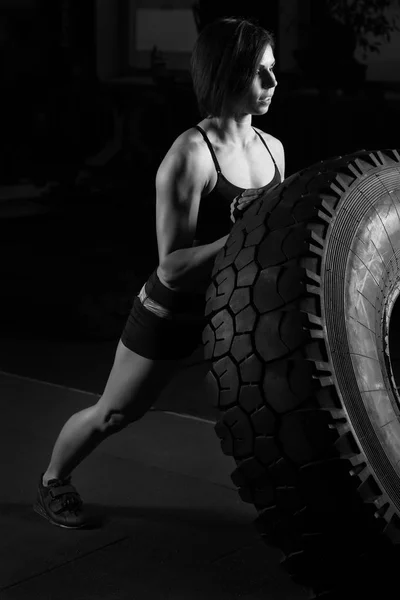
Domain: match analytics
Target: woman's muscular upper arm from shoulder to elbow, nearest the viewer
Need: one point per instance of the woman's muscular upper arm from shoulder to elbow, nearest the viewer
(180, 181)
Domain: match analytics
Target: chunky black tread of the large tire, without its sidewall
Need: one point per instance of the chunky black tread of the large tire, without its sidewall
(283, 419)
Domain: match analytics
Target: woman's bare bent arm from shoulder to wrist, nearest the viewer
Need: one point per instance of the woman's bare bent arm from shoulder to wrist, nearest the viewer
(180, 180)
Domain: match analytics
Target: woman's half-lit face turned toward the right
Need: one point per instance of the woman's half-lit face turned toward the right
(259, 96)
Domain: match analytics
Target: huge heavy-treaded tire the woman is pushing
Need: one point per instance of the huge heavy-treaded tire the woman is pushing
(300, 308)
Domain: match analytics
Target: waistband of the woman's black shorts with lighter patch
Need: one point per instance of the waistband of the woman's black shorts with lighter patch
(172, 300)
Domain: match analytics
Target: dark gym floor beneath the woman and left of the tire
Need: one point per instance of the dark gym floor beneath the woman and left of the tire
(169, 522)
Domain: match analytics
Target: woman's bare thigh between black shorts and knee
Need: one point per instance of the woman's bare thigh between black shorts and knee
(135, 382)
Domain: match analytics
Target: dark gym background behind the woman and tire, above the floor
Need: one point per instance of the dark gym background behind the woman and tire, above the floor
(77, 228)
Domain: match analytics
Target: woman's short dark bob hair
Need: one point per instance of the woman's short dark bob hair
(224, 61)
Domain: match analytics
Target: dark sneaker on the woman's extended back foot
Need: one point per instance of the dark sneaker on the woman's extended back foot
(60, 503)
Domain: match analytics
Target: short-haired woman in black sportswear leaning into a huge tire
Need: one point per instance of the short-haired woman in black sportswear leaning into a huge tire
(210, 173)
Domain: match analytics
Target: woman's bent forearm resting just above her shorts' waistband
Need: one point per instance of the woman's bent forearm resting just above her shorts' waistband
(186, 267)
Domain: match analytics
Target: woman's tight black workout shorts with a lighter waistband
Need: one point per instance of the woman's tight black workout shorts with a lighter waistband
(174, 335)
